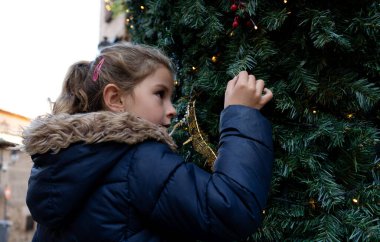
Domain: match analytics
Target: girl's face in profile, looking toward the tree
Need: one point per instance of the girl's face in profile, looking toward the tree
(151, 98)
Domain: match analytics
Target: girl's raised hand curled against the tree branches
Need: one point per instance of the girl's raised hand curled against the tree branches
(245, 90)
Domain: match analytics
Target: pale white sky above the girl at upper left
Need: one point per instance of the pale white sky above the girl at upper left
(39, 41)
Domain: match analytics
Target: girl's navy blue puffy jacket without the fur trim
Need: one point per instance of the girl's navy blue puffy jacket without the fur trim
(111, 191)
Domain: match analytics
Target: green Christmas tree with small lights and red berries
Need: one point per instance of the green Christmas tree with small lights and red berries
(321, 60)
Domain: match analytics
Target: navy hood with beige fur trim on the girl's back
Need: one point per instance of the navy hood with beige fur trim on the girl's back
(67, 170)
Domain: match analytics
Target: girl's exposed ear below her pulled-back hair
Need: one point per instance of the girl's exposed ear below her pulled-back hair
(113, 98)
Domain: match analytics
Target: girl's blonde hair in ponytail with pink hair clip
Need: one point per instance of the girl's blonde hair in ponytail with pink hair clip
(124, 65)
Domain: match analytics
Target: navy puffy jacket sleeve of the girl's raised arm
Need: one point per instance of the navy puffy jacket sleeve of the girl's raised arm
(227, 204)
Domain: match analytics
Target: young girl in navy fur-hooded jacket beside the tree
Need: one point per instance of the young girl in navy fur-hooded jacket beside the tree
(105, 168)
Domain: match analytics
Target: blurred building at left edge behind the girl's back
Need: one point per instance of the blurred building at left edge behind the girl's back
(15, 166)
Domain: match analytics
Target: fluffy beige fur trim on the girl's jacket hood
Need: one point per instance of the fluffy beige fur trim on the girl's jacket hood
(55, 132)
